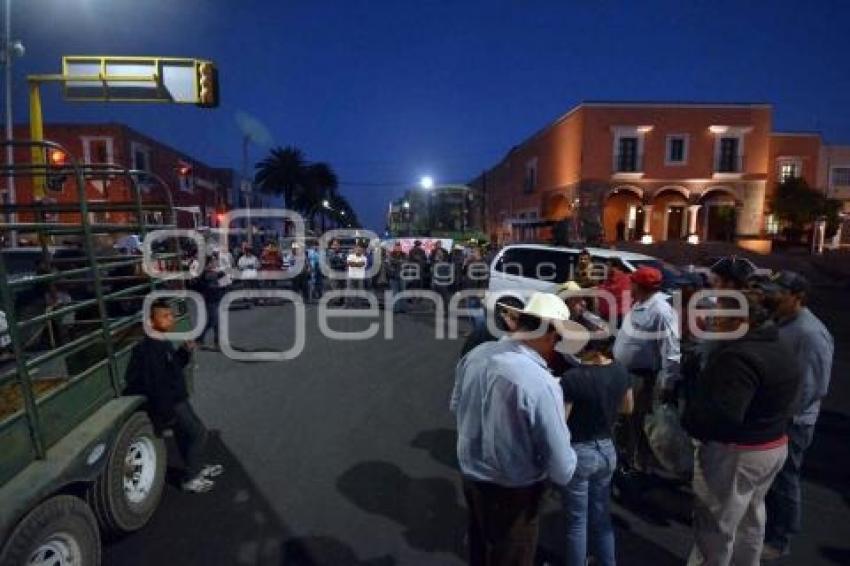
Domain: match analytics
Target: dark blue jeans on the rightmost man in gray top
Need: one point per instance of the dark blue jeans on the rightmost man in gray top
(784, 501)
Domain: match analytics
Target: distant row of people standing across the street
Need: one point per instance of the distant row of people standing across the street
(438, 269)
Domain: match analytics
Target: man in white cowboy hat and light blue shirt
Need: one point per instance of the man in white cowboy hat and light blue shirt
(512, 432)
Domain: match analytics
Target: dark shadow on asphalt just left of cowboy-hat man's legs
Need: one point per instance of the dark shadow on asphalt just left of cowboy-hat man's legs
(427, 507)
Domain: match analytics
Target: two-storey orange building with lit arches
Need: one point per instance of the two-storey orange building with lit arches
(647, 170)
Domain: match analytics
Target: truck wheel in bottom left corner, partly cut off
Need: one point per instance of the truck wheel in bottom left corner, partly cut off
(62, 530)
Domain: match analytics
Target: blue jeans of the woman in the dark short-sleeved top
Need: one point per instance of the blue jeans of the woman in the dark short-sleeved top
(587, 504)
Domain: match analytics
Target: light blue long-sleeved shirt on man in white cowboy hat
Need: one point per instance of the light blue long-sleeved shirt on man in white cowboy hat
(512, 428)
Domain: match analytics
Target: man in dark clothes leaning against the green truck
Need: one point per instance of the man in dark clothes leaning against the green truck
(156, 371)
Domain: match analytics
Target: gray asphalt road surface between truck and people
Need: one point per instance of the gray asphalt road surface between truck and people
(346, 456)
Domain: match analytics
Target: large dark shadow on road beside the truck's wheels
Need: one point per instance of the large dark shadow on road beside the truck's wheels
(232, 524)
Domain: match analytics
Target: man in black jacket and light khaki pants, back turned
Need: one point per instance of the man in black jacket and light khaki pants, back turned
(739, 409)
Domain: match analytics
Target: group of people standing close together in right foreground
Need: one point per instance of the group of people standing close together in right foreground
(744, 392)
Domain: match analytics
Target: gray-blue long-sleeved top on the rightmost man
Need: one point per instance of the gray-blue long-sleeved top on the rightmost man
(812, 345)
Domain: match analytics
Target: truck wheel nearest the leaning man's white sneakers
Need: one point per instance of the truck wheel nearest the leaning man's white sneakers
(127, 492)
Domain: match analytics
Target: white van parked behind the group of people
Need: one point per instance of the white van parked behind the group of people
(520, 270)
